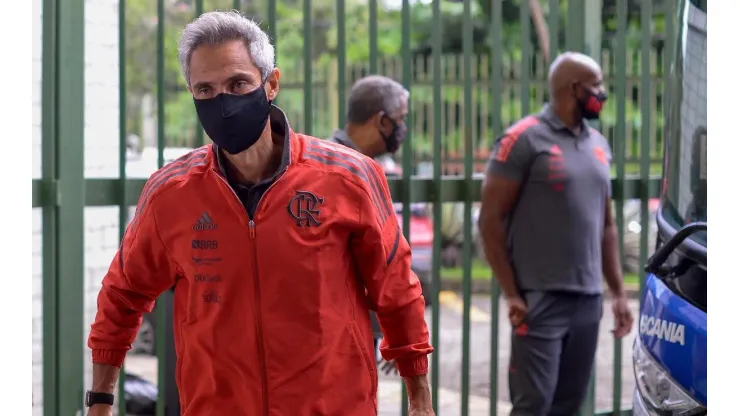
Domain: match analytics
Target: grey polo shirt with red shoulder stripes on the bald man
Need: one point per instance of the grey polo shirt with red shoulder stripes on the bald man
(556, 228)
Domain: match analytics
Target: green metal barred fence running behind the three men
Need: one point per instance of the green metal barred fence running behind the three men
(62, 193)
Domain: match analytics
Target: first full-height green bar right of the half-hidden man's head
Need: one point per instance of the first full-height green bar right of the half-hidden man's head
(437, 175)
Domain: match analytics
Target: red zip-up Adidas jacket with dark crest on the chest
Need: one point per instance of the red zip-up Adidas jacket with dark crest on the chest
(271, 312)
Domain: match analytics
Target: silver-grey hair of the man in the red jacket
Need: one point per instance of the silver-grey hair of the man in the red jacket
(216, 28)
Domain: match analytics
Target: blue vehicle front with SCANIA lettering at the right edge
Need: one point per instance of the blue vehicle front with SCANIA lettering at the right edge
(670, 351)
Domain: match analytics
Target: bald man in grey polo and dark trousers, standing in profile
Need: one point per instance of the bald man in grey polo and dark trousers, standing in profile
(549, 235)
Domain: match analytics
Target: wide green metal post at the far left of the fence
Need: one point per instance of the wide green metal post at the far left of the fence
(63, 128)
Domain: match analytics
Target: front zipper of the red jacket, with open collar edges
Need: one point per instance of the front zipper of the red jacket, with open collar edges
(257, 303)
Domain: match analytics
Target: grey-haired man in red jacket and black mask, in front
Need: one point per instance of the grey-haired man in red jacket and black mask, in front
(276, 243)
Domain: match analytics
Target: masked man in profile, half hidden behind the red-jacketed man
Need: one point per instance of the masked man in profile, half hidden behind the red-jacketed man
(376, 114)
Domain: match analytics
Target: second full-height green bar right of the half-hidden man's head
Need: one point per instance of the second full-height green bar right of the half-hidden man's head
(467, 216)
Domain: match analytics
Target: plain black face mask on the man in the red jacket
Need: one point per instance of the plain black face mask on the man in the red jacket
(234, 122)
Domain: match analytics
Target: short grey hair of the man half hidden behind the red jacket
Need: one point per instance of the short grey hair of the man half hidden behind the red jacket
(373, 94)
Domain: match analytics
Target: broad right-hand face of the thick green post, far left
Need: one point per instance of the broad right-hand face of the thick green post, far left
(70, 173)
